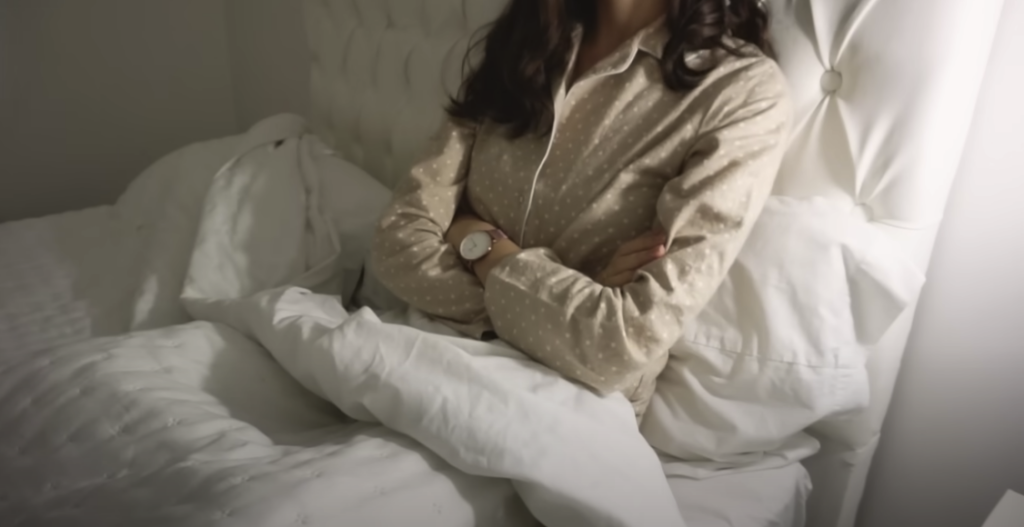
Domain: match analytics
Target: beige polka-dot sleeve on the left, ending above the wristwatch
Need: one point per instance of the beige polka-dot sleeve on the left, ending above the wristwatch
(411, 256)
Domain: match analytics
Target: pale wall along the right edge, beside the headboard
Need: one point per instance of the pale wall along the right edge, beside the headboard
(954, 440)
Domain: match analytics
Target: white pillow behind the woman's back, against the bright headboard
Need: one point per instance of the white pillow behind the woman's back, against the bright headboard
(783, 343)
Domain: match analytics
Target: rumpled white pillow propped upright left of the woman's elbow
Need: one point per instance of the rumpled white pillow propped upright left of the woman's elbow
(291, 214)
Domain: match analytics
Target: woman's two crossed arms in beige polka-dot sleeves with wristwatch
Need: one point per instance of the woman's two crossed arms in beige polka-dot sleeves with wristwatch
(603, 331)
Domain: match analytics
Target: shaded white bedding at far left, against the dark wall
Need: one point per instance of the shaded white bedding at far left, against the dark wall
(113, 269)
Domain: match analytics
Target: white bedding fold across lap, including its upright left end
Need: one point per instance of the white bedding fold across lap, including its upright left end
(575, 458)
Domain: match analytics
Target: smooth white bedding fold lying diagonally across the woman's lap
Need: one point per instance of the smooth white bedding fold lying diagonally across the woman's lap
(575, 458)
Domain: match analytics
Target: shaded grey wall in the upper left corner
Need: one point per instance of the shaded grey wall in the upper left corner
(94, 92)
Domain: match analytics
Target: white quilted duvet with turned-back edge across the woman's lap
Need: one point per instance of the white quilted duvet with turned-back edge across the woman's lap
(199, 425)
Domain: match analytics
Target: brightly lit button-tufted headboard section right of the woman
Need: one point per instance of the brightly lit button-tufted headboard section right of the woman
(885, 93)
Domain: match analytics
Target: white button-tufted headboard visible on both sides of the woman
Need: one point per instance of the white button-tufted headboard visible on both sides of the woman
(884, 93)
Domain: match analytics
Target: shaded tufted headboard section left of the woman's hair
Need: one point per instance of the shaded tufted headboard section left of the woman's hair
(383, 69)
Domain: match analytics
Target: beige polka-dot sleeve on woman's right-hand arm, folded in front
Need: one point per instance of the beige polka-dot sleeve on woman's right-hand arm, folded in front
(609, 337)
